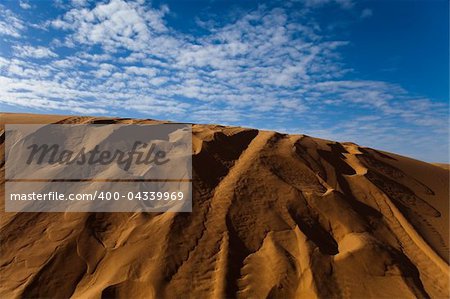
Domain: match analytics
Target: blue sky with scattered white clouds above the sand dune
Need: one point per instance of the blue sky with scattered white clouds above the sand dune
(370, 72)
